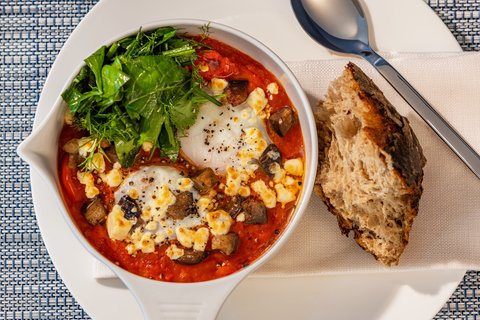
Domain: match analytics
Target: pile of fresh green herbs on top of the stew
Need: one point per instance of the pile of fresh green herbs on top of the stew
(139, 91)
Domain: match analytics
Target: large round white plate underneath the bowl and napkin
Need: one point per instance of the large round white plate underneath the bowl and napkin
(402, 295)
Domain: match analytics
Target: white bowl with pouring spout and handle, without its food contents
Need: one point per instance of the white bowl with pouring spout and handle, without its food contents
(199, 300)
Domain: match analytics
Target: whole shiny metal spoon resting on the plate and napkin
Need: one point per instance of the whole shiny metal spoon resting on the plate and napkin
(341, 25)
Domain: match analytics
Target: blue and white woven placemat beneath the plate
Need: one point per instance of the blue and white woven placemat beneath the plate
(32, 33)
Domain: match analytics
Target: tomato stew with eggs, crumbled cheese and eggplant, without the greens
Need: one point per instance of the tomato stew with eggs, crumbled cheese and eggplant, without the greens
(213, 208)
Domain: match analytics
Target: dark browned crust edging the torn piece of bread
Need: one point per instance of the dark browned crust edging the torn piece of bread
(391, 132)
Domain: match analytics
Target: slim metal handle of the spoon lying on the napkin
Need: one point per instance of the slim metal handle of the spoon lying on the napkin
(441, 127)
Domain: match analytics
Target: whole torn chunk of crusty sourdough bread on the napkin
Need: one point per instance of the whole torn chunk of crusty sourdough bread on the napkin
(370, 165)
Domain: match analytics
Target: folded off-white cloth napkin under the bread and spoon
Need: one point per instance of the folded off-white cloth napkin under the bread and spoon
(446, 232)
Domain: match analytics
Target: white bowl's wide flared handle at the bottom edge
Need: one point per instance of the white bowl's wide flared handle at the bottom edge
(165, 300)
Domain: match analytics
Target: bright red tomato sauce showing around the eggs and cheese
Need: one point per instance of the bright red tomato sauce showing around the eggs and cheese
(230, 64)
